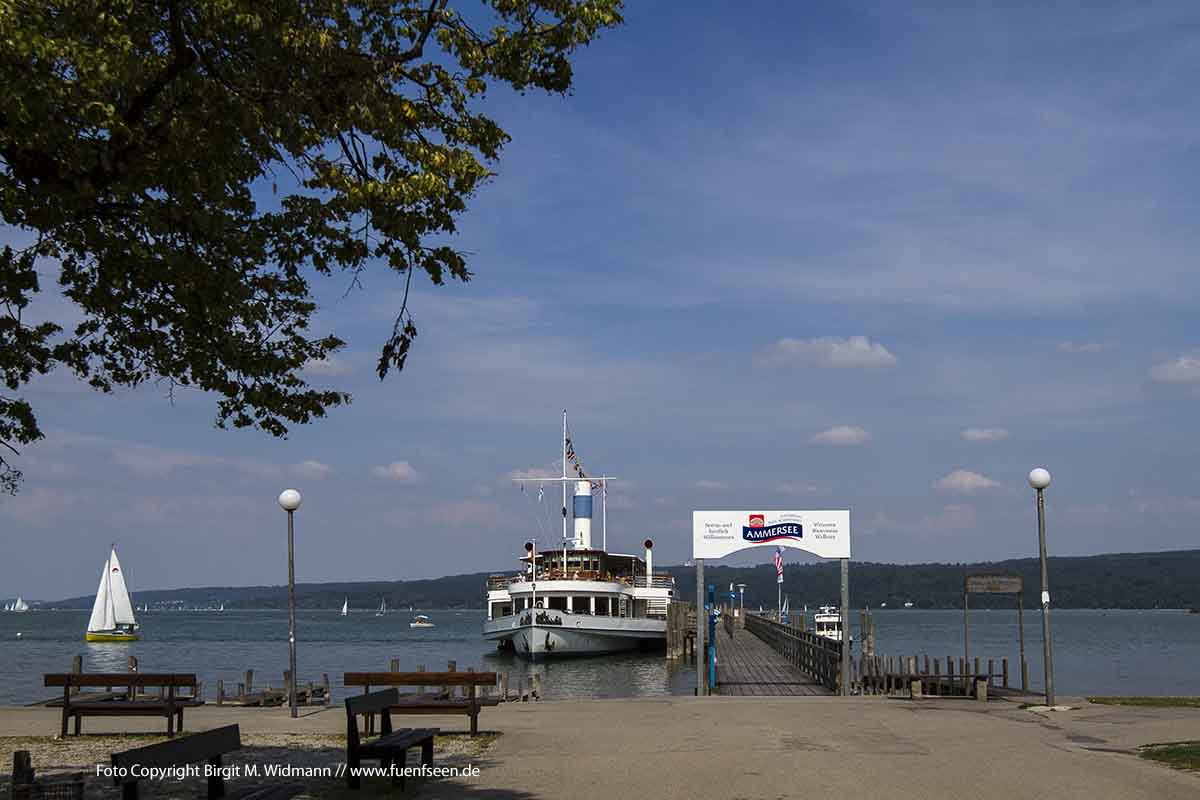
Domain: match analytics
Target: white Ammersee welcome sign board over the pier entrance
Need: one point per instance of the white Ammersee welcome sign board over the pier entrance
(717, 534)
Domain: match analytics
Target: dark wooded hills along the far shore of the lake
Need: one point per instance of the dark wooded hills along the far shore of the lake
(1169, 580)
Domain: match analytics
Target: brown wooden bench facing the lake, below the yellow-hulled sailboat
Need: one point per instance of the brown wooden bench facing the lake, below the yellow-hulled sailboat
(83, 705)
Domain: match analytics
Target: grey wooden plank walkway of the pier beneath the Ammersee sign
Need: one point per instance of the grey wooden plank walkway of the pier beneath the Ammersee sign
(748, 666)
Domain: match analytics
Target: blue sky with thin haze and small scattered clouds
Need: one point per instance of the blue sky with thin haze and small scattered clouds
(885, 257)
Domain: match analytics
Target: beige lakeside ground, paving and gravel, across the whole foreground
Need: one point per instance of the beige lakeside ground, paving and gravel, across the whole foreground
(710, 748)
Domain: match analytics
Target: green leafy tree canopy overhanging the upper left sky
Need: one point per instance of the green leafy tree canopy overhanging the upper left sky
(137, 141)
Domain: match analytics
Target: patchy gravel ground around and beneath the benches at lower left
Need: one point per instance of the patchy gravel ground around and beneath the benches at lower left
(58, 759)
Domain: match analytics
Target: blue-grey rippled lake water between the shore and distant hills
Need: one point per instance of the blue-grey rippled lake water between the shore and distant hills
(1096, 652)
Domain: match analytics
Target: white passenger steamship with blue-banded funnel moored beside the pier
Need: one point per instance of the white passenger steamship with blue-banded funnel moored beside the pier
(579, 599)
